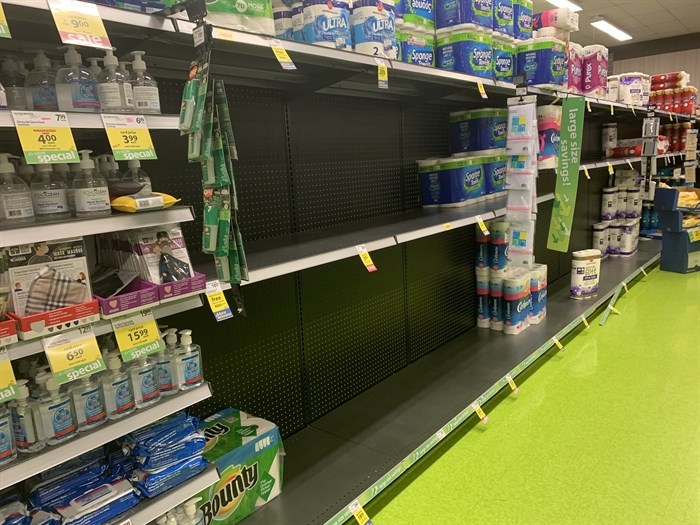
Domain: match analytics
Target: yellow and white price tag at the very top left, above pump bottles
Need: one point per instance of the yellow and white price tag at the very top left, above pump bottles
(79, 23)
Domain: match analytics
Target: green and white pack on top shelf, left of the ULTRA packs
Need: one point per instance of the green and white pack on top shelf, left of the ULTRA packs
(254, 17)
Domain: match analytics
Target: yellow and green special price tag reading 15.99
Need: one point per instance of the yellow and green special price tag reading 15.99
(137, 335)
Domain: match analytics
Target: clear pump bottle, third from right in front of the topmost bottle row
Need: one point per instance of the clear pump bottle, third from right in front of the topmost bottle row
(76, 86)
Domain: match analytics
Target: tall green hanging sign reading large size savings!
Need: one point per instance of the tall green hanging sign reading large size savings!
(567, 174)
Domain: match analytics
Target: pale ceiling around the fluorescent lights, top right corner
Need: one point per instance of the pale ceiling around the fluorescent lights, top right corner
(643, 19)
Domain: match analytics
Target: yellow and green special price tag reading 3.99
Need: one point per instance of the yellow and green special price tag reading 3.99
(129, 137)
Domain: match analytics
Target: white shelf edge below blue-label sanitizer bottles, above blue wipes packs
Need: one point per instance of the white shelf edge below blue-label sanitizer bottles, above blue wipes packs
(22, 469)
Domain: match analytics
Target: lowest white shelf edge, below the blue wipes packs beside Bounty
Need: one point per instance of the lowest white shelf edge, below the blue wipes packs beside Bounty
(149, 509)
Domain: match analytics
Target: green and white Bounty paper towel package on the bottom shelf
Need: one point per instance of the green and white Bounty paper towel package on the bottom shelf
(248, 453)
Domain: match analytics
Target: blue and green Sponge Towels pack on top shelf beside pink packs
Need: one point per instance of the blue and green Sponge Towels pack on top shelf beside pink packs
(543, 61)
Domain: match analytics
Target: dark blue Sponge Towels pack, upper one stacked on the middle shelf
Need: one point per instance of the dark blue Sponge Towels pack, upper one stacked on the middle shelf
(478, 130)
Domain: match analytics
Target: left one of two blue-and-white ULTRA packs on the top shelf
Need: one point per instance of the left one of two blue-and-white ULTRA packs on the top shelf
(327, 23)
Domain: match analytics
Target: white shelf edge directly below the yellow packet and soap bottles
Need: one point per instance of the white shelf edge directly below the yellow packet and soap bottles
(37, 231)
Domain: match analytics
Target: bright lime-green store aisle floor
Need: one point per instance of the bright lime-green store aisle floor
(606, 432)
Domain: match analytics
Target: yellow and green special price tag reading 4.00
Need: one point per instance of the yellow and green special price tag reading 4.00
(46, 137)
